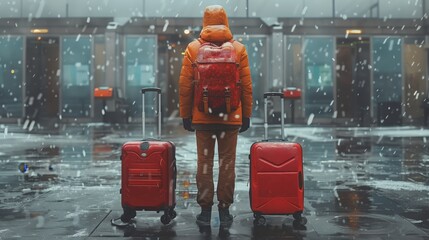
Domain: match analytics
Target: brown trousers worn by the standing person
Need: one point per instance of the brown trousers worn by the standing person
(227, 143)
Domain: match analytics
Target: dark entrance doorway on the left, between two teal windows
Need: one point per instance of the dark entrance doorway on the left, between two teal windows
(42, 79)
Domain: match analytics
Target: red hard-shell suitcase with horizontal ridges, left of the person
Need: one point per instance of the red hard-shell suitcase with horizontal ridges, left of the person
(148, 173)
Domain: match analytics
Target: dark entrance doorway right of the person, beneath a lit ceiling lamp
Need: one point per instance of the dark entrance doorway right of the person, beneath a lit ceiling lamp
(353, 81)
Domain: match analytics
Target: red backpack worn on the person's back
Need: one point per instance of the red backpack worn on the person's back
(217, 85)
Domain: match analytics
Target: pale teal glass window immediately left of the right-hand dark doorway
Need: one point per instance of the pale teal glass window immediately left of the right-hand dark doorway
(318, 65)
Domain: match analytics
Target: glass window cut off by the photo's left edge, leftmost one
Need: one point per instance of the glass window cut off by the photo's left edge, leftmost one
(11, 54)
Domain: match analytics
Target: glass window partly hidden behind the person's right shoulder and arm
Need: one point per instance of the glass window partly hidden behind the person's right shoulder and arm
(257, 53)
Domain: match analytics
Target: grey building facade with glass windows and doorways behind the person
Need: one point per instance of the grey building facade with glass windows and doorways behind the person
(359, 66)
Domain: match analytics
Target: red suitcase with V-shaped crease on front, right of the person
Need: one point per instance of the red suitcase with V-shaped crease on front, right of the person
(276, 175)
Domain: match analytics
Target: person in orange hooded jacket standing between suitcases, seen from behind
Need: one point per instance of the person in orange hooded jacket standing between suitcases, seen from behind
(210, 124)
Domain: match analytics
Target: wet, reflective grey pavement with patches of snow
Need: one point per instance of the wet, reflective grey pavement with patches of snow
(360, 183)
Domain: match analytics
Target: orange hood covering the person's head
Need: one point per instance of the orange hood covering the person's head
(215, 25)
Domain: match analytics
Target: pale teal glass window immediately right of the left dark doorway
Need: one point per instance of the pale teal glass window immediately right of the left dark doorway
(76, 75)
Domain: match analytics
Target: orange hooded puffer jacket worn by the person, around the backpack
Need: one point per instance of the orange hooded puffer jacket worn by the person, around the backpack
(215, 30)
